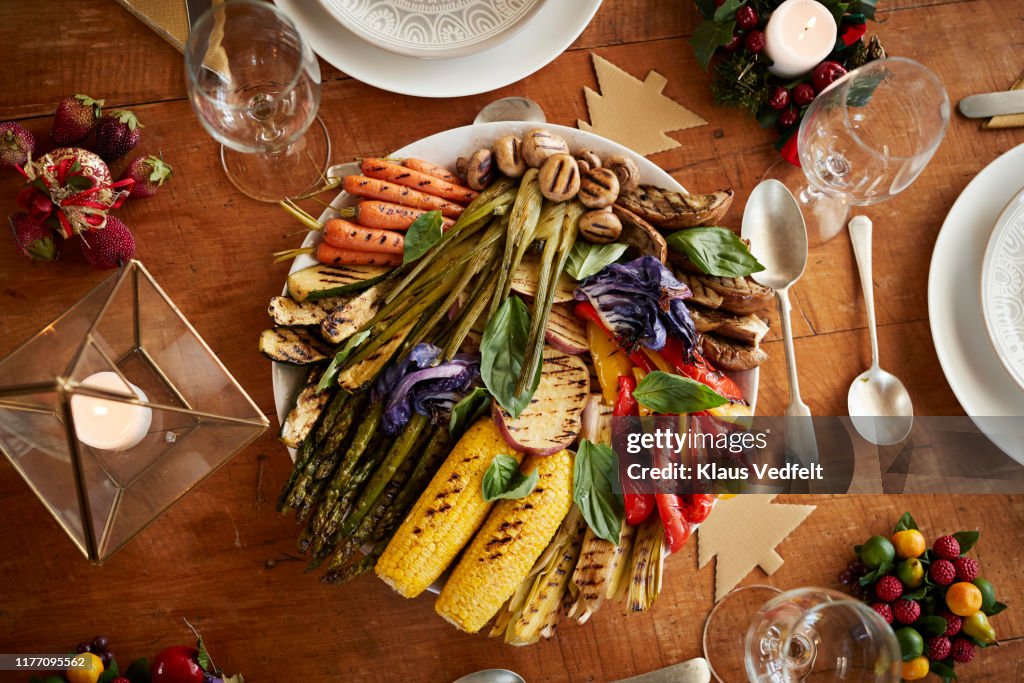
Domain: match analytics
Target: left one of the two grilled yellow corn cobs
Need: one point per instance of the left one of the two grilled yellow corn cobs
(446, 517)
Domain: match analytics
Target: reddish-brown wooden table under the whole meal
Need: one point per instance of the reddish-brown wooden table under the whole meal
(224, 559)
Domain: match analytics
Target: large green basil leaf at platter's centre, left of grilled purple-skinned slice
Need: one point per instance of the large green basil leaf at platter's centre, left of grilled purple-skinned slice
(503, 351)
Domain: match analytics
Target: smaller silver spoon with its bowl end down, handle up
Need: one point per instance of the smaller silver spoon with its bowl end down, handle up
(880, 405)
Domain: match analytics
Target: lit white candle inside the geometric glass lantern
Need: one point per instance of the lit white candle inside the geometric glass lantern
(108, 424)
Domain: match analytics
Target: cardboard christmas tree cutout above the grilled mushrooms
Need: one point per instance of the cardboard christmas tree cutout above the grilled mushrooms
(635, 113)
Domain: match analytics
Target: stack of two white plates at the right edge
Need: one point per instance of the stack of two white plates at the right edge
(976, 301)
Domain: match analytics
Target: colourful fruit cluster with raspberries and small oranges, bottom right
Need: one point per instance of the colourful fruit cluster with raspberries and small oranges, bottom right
(934, 599)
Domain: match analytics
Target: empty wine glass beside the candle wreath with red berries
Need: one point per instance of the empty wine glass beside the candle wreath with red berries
(864, 140)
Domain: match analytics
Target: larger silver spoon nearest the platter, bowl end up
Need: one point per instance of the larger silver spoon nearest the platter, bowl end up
(776, 229)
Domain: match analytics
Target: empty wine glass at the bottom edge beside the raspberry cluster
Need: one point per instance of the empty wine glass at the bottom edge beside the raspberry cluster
(807, 634)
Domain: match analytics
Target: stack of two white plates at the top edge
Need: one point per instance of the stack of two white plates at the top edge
(440, 49)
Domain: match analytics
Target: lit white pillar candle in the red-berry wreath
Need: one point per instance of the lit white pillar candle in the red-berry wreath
(800, 34)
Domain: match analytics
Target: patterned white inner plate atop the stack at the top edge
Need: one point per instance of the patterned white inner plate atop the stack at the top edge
(434, 29)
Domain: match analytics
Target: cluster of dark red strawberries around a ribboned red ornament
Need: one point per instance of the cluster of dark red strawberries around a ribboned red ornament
(70, 191)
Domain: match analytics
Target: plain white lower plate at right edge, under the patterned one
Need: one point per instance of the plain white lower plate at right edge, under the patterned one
(966, 354)
